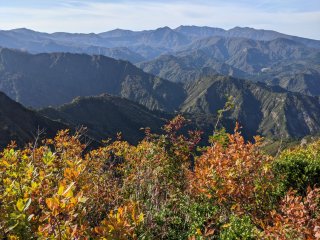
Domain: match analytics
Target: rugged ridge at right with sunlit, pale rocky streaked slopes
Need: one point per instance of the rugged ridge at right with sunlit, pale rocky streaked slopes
(260, 109)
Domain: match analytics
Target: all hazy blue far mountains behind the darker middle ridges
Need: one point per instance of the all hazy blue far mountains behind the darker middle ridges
(189, 52)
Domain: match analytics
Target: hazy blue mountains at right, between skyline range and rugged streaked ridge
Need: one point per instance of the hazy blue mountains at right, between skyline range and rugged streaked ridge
(281, 62)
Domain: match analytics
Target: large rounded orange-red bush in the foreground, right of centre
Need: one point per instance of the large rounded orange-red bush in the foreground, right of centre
(237, 176)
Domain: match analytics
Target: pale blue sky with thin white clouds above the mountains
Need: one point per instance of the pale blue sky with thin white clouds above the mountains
(294, 17)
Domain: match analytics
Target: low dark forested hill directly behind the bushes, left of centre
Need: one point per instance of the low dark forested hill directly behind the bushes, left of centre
(106, 115)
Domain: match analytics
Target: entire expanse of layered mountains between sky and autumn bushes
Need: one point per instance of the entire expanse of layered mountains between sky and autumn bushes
(275, 79)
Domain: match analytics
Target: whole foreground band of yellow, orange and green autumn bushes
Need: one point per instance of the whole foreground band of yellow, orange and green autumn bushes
(165, 187)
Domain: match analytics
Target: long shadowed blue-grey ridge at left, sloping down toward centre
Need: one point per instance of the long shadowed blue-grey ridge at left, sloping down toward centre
(53, 79)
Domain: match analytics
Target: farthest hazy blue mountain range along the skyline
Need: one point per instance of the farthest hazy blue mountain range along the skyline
(129, 45)
